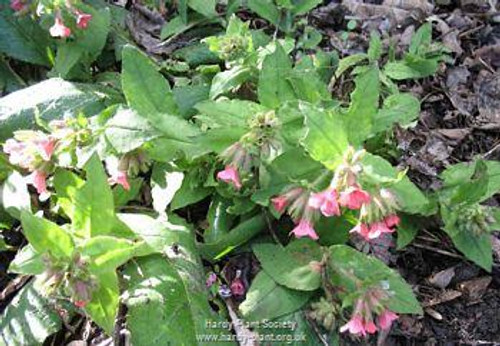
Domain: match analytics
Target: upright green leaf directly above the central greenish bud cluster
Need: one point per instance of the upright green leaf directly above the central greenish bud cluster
(274, 87)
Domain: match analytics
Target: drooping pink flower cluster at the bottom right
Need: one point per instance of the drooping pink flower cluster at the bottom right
(362, 322)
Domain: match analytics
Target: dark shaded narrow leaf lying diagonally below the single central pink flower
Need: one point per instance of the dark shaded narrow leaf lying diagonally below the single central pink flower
(236, 237)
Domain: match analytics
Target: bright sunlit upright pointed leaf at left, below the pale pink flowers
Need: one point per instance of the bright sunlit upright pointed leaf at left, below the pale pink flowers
(93, 206)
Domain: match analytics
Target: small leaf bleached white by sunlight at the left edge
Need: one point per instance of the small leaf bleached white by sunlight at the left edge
(14, 195)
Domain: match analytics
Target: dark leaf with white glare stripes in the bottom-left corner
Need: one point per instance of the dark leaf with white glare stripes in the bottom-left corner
(28, 319)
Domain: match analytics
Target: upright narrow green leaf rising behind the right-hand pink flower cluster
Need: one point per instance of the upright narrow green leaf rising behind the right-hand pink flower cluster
(359, 118)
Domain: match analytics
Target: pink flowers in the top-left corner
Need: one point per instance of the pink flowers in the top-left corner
(59, 28)
